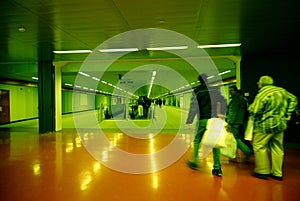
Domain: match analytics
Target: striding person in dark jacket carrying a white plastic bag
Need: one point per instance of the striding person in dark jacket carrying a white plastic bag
(206, 103)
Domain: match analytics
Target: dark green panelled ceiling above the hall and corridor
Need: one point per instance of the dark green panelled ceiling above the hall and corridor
(262, 27)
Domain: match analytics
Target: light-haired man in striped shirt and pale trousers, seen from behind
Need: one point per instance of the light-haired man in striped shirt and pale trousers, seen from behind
(271, 109)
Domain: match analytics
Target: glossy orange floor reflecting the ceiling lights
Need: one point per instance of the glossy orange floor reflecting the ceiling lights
(56, 166)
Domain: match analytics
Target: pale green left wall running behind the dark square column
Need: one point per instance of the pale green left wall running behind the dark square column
(24, 101)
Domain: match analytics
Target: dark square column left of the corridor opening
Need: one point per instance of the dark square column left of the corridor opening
(46, 97)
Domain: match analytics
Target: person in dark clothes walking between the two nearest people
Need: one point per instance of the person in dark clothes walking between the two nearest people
(236, 119)
